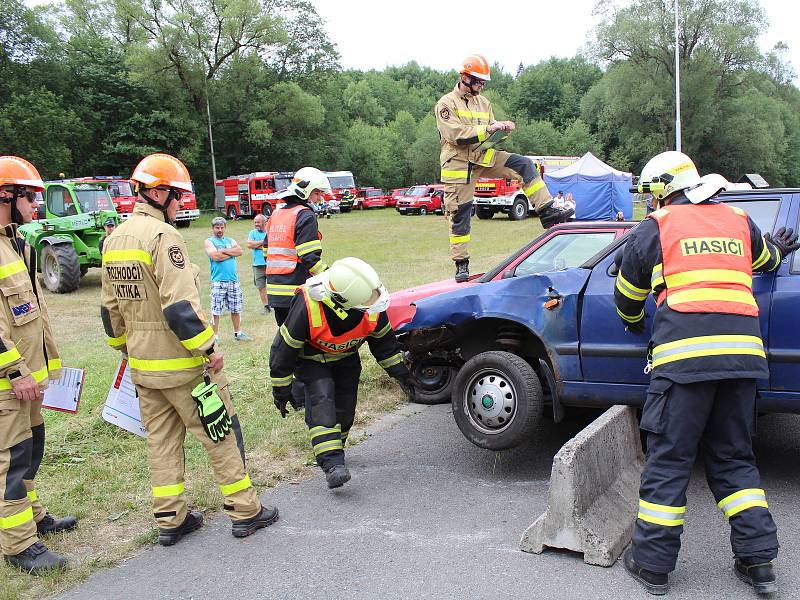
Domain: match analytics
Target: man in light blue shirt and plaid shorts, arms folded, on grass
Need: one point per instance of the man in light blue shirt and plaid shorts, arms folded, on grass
(225, 289)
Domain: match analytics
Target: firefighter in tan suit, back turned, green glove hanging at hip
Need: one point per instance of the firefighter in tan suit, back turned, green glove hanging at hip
(151, 311)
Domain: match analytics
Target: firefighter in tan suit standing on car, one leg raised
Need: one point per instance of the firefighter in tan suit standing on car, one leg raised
(465, 121)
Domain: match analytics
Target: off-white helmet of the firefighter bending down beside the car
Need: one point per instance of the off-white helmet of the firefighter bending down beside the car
(350, 283)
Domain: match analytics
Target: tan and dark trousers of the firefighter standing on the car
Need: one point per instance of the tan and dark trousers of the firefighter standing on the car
(458, 198)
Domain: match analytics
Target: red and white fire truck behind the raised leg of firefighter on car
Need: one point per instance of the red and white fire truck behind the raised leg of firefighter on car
(505, 195)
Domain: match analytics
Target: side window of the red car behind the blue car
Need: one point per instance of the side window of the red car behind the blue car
(563, 251)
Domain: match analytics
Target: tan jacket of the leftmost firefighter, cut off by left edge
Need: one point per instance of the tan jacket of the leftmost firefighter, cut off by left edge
(27, 346)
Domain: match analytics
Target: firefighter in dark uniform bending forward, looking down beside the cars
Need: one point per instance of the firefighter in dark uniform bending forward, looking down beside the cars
(330, 317)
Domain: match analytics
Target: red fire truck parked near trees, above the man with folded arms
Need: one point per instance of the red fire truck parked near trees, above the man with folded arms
(247, 195)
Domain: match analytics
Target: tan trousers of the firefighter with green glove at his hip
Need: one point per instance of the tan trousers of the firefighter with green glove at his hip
(167, 414)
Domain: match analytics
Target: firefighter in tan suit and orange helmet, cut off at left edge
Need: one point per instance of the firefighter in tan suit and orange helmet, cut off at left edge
(28, 359)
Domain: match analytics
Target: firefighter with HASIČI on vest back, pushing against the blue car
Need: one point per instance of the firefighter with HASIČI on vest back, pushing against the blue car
(697, 256)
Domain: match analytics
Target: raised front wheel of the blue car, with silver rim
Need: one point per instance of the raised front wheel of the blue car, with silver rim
(511, 404)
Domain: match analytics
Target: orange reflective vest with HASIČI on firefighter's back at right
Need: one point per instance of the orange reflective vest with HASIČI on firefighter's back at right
(707, 260)
